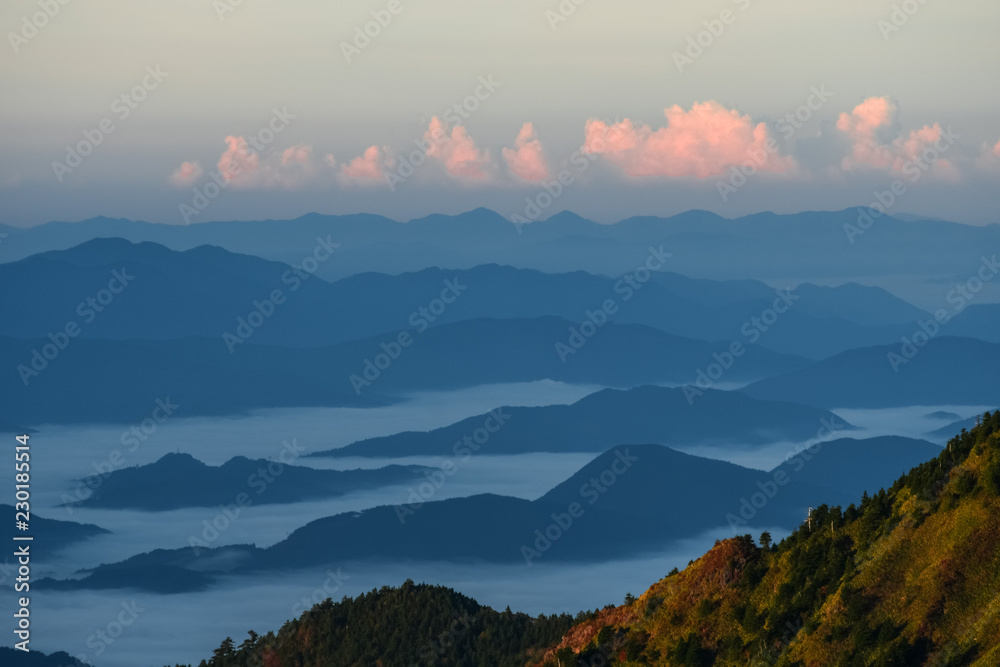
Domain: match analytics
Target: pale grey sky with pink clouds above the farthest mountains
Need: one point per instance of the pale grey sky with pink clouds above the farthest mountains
(151, 110)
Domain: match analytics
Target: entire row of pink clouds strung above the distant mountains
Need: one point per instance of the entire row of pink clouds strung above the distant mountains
(708, 140)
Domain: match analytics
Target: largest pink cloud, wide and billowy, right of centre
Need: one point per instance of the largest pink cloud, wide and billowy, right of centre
(702, 142)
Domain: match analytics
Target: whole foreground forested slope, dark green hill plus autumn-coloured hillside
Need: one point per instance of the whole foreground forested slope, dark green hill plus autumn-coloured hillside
(908, 576)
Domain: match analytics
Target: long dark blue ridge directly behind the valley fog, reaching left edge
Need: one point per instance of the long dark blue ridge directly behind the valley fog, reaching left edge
(202, 377)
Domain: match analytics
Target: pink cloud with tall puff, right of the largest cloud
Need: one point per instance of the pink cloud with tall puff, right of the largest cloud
(868, 120)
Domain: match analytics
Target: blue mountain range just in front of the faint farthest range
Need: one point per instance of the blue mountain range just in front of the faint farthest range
(205, 291)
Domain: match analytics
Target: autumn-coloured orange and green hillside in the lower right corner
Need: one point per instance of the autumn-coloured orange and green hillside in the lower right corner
(910, 576)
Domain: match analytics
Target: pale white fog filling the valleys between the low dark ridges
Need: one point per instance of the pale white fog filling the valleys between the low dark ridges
(173, 627)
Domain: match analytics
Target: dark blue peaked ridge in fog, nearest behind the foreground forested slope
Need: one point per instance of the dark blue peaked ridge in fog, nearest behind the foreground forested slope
(646, 495)
